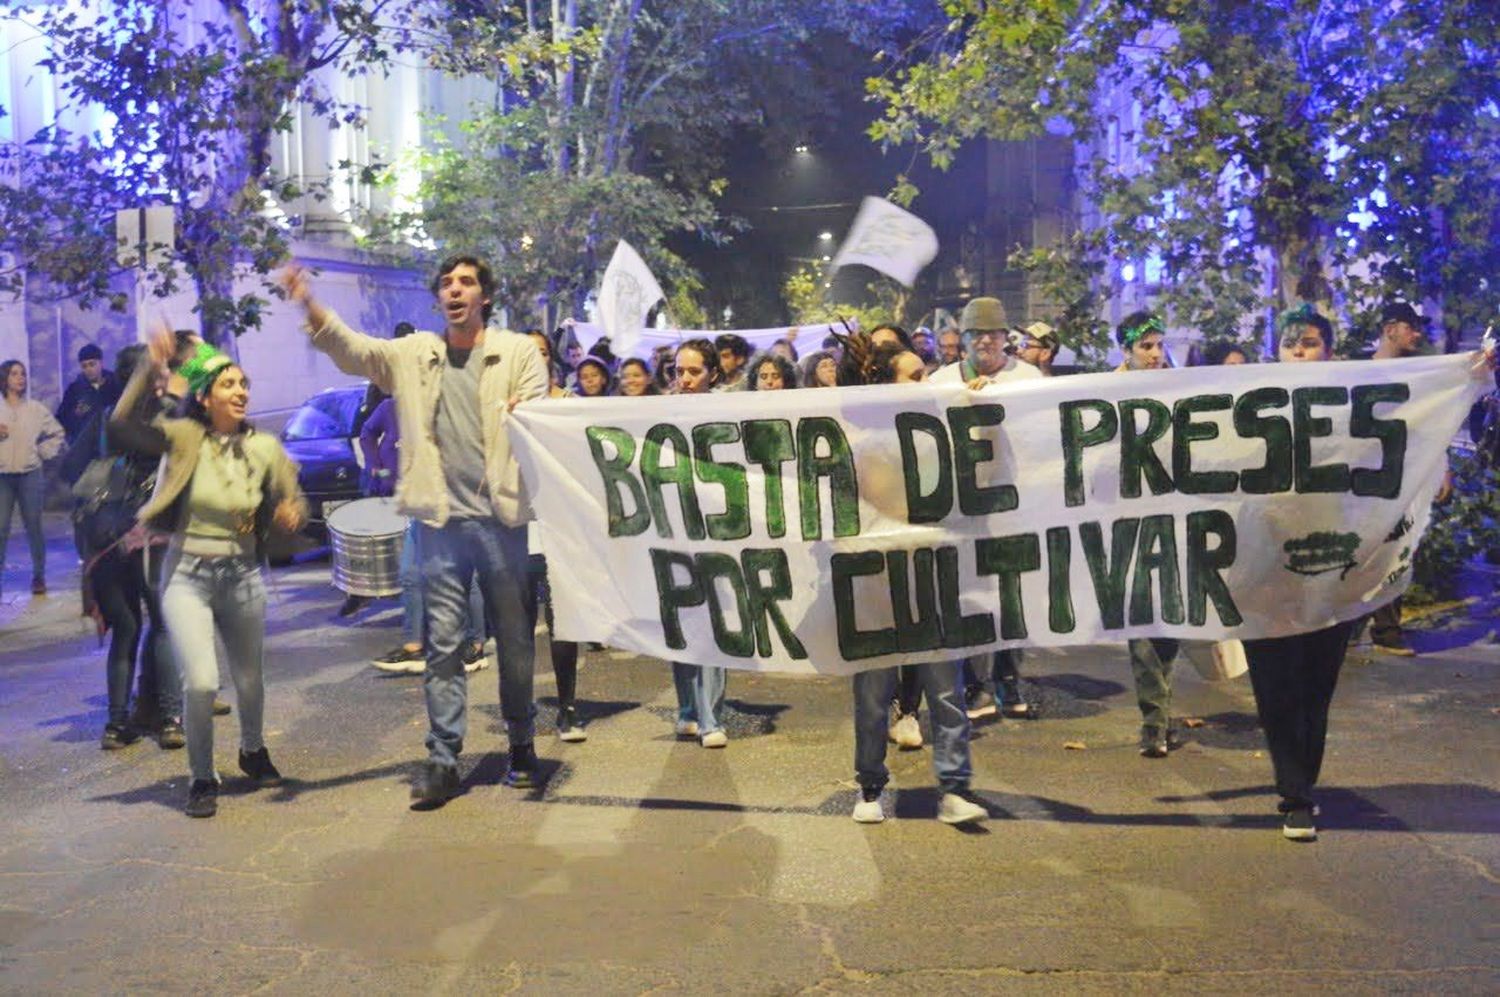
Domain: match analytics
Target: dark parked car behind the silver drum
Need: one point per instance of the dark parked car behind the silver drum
(323, 437)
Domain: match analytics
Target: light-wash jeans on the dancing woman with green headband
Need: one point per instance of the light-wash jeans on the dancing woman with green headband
(226, 596)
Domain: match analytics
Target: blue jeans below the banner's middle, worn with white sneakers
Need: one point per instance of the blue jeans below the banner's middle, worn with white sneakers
(943, 681)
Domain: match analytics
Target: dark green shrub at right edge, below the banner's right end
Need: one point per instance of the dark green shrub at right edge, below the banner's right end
(1463, 527)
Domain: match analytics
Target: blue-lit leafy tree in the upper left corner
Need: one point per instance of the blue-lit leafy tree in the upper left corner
(196, 95)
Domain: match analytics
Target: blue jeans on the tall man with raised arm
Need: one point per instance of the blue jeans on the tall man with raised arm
(452, 557)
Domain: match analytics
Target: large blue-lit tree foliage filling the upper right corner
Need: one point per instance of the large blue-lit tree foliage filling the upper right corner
(1252, 154)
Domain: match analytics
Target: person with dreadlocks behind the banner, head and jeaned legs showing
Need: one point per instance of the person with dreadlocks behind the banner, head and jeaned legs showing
(943, 681)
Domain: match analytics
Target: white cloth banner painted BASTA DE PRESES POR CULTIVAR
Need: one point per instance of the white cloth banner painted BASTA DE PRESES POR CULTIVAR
(836, 531)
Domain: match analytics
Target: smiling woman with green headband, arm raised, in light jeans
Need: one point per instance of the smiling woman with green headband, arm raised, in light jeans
(221, 490)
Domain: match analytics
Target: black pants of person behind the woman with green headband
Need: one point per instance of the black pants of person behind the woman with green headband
(119, 582)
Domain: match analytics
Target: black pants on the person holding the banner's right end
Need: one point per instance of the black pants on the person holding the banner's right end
(1294, 680)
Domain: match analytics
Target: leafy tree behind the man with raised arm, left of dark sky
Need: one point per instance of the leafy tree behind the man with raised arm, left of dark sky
(613, 122)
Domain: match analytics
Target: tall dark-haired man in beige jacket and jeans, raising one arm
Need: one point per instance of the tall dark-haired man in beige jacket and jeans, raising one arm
(454, 394)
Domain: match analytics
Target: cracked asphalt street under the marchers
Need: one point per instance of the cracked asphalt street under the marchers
(647, 864)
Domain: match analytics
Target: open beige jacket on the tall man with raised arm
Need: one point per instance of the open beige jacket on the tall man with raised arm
(410, 370)
